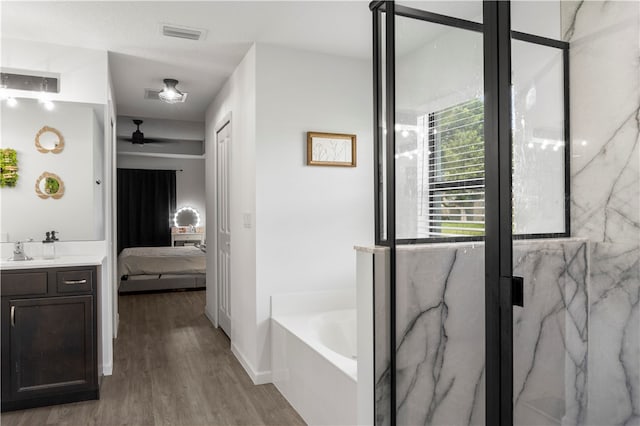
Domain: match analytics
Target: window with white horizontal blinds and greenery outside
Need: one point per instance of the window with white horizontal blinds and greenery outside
(452, 193)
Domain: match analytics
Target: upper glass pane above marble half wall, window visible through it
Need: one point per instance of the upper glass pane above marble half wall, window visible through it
(439, 131)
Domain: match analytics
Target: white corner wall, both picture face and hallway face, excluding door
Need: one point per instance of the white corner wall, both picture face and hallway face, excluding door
(307, 219)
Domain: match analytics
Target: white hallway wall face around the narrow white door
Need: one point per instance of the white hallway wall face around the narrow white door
(238, 99)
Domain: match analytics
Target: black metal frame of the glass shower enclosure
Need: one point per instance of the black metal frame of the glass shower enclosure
(497, 35)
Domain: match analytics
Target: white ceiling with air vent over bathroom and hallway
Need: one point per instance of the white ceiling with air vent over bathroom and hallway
(141, 57)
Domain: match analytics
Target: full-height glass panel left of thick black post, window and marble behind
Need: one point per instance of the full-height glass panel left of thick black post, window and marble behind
(439, 291)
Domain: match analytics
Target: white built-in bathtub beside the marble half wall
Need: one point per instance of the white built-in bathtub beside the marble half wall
(314, 364)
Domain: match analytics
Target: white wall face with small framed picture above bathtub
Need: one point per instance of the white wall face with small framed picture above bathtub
(309, 218)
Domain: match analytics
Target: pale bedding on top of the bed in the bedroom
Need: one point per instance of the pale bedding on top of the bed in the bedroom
(162, 260)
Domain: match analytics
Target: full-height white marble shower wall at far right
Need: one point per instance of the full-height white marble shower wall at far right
(605, 189)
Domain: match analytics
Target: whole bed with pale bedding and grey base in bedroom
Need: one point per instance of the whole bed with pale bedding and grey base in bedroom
(161, 268)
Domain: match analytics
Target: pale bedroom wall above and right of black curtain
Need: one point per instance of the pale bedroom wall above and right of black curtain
(190, 189)
